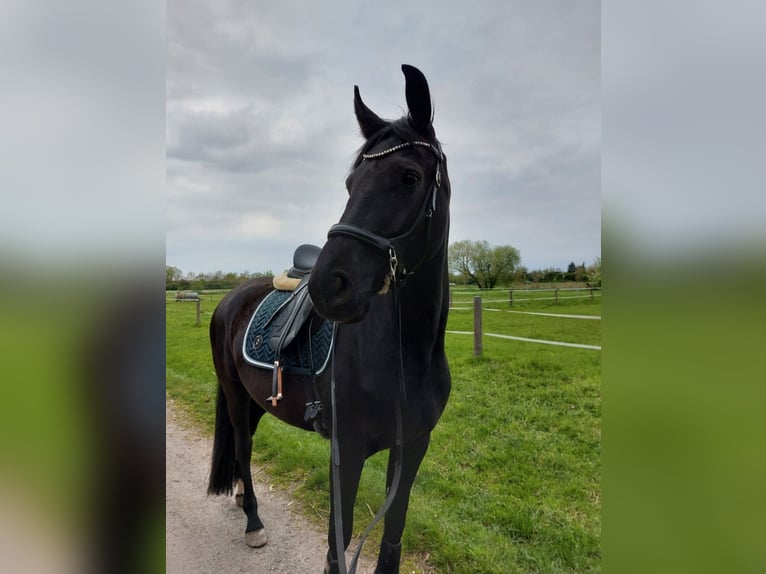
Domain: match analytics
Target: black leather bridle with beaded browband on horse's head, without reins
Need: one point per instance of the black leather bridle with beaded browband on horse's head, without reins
(420, 231)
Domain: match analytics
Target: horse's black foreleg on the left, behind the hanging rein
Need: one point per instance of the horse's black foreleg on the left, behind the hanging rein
(350, 472)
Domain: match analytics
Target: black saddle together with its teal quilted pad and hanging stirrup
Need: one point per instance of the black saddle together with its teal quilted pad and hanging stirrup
(284, 335)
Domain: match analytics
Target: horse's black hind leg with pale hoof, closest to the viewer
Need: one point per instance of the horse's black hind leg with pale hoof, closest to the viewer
(241, 415)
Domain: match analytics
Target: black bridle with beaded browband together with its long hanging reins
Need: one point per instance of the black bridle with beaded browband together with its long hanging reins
(391, 246)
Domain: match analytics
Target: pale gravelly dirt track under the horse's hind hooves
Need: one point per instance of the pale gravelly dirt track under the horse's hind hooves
(205, 534)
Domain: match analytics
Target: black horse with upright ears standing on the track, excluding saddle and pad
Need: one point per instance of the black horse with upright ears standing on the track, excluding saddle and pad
(382, 278)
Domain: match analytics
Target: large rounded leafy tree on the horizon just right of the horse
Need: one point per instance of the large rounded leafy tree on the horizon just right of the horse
(481, 263)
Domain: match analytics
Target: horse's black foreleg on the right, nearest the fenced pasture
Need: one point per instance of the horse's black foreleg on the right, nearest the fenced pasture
(391, 545)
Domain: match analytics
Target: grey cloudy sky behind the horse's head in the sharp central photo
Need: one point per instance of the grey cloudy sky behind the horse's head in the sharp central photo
(261, 130)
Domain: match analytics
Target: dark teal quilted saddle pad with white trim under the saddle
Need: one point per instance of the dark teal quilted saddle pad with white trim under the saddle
(308, 353)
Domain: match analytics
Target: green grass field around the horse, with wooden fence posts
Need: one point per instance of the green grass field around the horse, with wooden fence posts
(511, 482)
